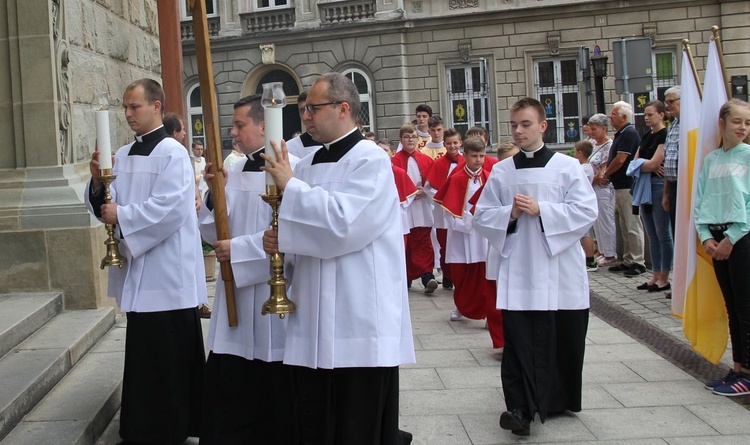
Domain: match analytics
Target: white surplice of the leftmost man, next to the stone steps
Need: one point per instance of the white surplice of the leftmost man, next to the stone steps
(155, 198)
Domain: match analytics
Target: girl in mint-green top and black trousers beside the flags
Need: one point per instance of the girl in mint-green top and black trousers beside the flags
(722, 218)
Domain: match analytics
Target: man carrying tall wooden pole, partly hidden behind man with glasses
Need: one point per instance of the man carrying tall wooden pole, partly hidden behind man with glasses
(245, 362)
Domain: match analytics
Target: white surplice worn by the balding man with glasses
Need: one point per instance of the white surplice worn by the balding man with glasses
(342, 221)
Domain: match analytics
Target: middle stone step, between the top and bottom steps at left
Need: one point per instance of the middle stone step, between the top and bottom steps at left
(30, 370)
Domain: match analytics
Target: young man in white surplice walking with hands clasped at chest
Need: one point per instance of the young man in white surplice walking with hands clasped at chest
(534, 209)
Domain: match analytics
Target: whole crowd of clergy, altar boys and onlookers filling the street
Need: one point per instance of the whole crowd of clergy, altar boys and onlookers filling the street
(512, 237)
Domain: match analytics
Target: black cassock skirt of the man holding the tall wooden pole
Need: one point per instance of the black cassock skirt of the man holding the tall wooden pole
(247, 402)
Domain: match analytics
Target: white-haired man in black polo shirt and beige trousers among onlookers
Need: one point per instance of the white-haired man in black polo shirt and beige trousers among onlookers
(624, 146)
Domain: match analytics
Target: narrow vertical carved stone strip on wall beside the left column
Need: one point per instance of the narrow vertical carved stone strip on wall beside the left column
(62, 83)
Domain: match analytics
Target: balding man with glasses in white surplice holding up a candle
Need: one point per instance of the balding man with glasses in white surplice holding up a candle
(340, 219)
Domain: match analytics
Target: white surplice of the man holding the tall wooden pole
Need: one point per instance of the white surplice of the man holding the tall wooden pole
(256, 336)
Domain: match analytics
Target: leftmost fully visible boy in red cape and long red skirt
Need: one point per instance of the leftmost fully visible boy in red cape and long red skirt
(420, 255)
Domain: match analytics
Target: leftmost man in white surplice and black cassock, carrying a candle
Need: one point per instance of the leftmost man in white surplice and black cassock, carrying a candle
(163, 281)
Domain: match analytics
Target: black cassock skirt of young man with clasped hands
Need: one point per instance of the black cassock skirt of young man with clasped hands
(543, 360)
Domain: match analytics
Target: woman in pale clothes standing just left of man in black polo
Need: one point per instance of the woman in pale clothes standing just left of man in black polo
(604, 227)
